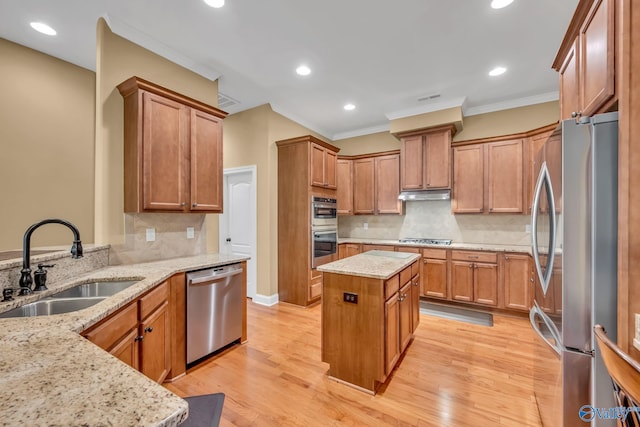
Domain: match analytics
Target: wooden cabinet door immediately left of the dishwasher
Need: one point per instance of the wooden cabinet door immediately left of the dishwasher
(155, 347)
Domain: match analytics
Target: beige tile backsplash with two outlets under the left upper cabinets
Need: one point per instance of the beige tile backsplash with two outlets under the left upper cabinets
(170, 238)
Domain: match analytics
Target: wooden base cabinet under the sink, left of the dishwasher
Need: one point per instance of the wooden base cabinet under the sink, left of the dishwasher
(139, 334)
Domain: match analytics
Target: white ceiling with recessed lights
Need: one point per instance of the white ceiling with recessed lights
(380, 55)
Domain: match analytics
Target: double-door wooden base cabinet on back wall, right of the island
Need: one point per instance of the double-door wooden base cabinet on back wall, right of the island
(474, 277)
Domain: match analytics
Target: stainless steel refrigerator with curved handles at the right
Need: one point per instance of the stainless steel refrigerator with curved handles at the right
(574, 244)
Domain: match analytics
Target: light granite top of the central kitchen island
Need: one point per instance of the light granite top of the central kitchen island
(374, 264)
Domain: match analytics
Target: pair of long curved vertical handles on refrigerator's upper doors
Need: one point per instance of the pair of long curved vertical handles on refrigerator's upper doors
(543, 179)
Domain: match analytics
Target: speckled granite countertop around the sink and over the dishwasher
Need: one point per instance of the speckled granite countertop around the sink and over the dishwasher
(50, 375)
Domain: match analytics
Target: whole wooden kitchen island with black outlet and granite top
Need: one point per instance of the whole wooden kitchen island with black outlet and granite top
(370, 308)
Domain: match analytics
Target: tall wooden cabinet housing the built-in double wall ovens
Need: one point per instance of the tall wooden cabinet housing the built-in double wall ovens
(306, 168)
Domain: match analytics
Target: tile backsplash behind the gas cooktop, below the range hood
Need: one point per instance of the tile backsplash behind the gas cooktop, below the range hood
(434, 219)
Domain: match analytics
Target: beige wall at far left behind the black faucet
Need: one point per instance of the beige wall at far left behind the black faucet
(46, 135)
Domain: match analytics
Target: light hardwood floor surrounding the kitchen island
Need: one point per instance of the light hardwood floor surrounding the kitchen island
(453, 374)
